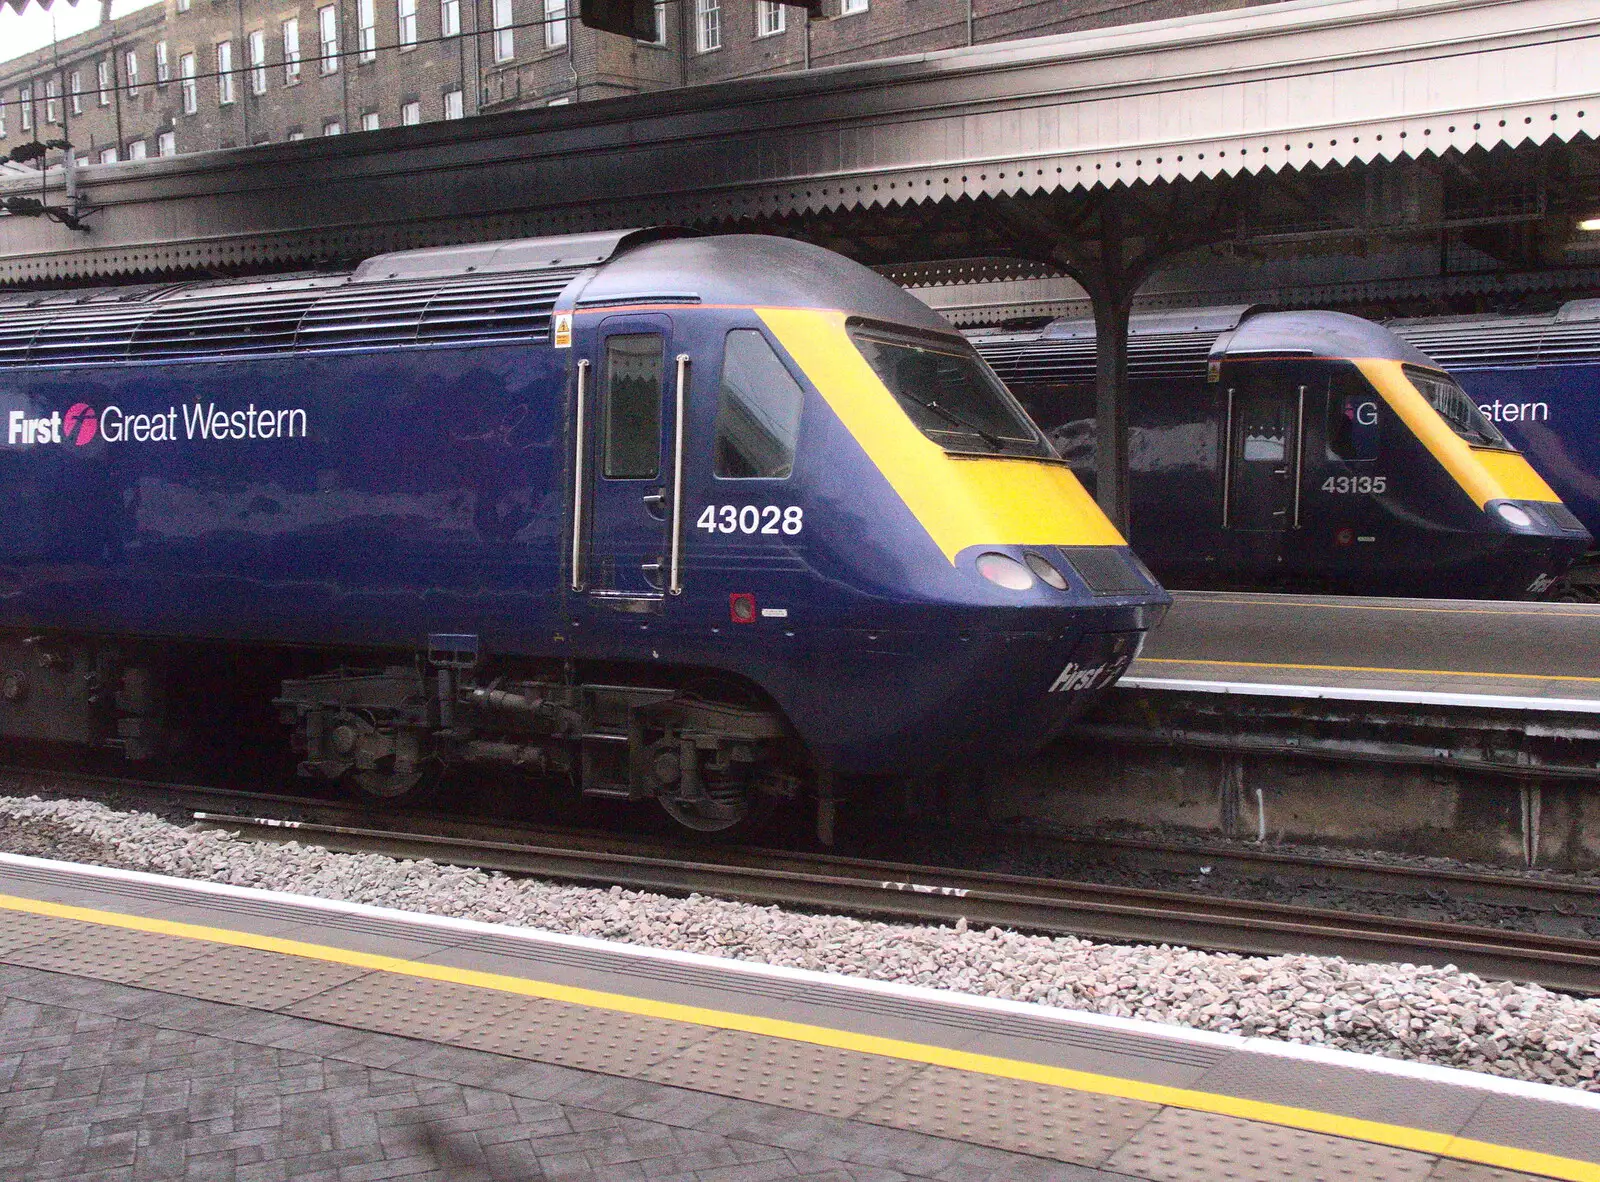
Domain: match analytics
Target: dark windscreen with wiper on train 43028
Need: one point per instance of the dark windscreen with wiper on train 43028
(951, 394)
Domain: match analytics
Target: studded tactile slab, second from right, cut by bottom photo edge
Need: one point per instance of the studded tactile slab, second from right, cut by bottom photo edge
(1185, 1146)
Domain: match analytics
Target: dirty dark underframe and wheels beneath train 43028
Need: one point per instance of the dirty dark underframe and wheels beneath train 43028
(708, 749)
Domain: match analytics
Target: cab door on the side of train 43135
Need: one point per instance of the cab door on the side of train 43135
(1263, 465)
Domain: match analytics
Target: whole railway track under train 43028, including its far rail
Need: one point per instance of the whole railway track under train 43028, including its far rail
(921, 893)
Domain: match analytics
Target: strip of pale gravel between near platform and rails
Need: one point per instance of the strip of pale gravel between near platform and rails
(1402, 1012)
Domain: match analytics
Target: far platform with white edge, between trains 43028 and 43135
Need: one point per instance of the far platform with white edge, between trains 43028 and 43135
(1463, 653)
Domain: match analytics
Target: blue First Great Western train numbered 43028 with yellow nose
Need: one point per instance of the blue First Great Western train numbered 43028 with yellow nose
(714, 522)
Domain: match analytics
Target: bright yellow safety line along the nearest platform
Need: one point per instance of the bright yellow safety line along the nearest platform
(1353, 1128)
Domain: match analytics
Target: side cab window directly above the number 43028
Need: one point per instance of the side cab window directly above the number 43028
(758, 412)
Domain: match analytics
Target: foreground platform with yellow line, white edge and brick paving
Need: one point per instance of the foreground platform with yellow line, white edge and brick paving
(159, 1028)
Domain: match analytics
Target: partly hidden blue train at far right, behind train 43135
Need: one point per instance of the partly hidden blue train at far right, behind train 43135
(1535, 377)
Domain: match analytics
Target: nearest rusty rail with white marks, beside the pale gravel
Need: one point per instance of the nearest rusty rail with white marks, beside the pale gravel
(894, 890)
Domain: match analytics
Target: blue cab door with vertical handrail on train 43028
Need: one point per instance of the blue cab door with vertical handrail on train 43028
(626, 428)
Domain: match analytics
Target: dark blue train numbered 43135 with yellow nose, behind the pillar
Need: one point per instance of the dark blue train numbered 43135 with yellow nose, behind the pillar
(1302, 452)
